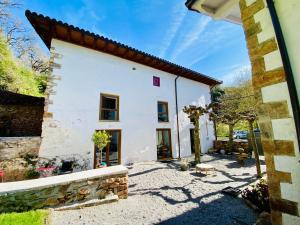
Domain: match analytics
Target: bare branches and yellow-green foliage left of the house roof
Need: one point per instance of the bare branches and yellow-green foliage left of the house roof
(23, 67)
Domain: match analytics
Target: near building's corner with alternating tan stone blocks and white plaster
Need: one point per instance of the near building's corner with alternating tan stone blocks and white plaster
(276, 121)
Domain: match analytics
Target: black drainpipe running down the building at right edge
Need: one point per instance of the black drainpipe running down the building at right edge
(287, 66)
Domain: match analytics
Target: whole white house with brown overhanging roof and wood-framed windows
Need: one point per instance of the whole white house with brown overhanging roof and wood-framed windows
(99, 84)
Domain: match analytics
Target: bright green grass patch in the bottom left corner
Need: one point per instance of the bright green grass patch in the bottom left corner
(27, 218)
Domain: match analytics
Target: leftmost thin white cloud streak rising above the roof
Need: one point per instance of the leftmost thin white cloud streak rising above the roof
(178, 13)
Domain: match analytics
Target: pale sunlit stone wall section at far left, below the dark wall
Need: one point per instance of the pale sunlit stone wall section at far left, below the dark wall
(18, 147)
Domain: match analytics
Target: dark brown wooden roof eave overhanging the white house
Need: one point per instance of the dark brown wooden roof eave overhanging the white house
(49, 29)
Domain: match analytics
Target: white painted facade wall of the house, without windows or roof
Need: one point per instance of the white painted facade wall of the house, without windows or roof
(85, 74)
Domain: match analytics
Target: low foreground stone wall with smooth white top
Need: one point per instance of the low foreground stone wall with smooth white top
(64, 189)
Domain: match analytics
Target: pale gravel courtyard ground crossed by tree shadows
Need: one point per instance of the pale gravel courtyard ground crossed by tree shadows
(161, 194)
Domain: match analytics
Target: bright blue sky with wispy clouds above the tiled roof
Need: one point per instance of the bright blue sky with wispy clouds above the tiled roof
(163, 28)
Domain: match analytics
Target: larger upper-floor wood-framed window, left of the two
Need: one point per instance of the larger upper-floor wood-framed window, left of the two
(109, 109)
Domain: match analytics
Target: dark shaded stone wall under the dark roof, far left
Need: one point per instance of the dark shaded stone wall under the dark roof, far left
(20, 120)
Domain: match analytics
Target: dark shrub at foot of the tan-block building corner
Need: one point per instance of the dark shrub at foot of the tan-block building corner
(258, 195)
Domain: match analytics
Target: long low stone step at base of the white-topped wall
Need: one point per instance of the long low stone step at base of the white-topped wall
(93, 202)
